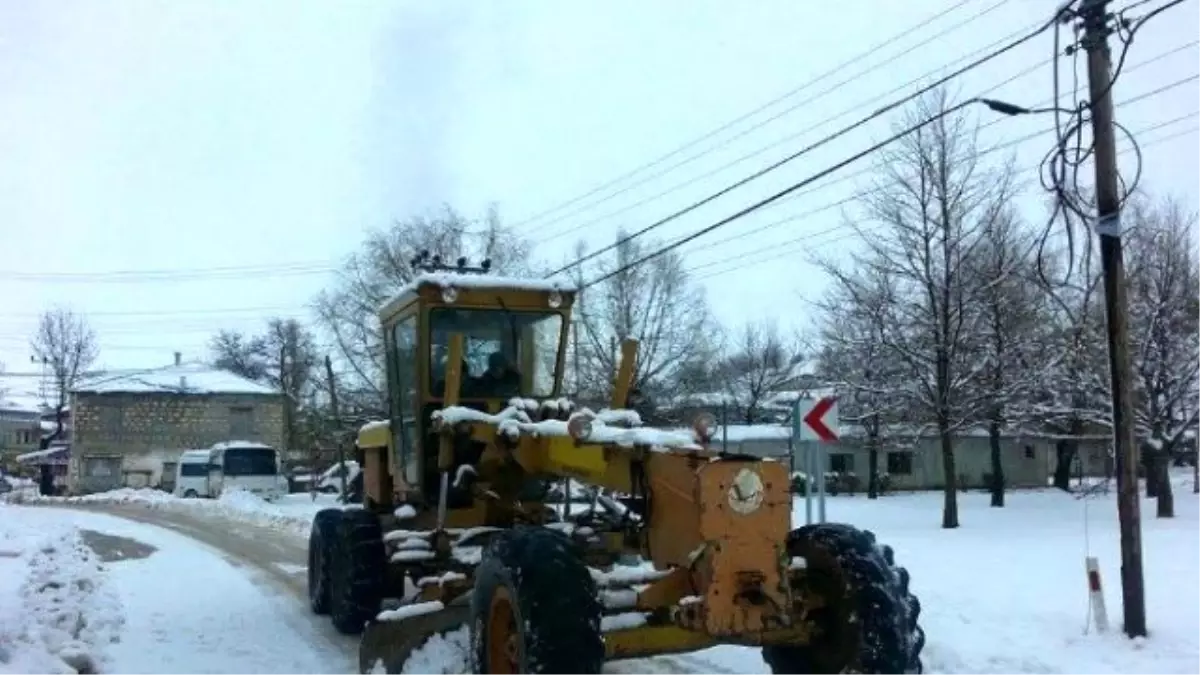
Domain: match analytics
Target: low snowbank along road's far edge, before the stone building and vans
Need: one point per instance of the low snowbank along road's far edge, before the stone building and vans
(293, 515)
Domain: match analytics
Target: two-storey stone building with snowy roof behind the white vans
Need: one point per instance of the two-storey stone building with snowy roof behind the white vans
(130, 429)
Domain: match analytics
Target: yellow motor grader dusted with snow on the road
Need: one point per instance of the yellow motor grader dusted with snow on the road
(553, 539)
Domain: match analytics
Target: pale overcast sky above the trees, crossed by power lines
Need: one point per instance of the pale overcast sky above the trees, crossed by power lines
(182, 138)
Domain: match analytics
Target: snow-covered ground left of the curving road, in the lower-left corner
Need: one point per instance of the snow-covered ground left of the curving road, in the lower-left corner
(137, 600)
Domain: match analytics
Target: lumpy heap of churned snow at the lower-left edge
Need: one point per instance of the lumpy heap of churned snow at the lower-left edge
(57, 614)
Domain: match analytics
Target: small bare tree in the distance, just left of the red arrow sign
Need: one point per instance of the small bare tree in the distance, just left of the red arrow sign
(763, 363)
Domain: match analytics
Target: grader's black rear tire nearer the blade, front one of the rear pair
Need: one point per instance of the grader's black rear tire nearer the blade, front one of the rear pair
(357, 568)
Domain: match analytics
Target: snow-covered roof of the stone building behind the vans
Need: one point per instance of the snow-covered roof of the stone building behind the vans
(184, 379)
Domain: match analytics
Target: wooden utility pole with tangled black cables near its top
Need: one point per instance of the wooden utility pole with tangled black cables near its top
(1108, 226)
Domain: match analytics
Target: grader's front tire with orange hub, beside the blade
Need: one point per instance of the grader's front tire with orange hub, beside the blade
(535, 595)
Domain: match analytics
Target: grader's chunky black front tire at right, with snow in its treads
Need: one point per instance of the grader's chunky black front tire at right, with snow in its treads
(859, 580)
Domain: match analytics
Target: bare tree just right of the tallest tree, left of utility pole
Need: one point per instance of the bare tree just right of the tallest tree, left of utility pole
(1013, 309)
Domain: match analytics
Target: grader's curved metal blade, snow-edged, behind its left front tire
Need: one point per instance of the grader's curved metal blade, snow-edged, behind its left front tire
(391, 643)
